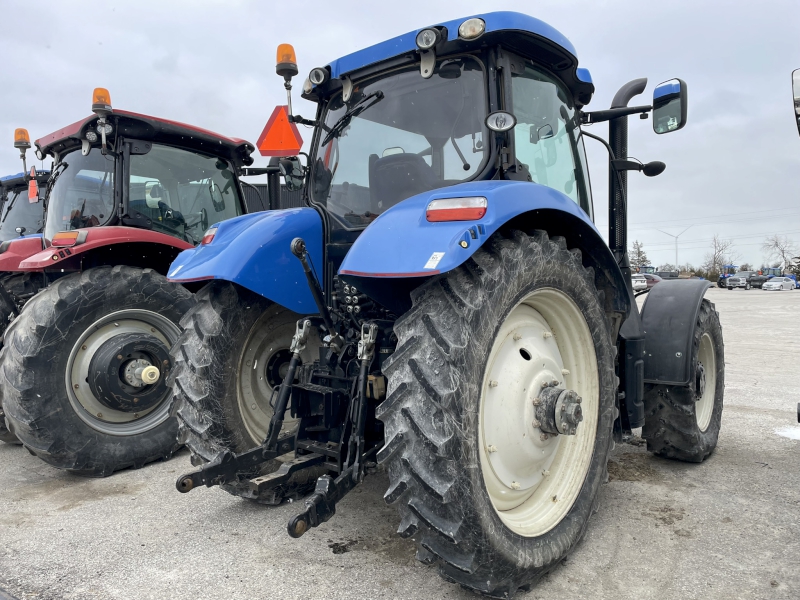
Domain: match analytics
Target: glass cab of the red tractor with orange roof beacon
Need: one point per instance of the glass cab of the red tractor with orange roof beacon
(136, 179)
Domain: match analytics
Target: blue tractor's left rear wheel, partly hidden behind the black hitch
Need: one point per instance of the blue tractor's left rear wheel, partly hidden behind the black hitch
(234, 345)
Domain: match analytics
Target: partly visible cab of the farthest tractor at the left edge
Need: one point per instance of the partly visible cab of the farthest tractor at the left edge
(20, 215)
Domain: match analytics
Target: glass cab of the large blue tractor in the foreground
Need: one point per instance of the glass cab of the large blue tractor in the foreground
(440, 118)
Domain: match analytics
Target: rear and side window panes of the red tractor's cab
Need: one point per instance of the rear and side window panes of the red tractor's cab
(181, 192)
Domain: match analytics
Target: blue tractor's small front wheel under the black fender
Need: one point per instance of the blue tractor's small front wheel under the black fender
(683, 423)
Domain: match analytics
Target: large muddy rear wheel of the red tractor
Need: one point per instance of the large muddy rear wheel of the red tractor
(68, 370)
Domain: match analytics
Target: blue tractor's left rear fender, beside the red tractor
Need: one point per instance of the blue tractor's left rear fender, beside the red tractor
(253, 251)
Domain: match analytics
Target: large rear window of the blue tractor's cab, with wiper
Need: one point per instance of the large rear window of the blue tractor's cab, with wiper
(406, 135)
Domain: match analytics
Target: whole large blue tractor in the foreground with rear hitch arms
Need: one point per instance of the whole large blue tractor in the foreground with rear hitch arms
(445, 306)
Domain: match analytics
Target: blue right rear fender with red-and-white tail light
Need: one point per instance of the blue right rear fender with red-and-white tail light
(402, 243)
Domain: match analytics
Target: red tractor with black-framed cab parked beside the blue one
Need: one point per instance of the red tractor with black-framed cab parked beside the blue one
(83, 368)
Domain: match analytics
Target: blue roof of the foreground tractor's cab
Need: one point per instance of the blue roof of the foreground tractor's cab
(521, 33)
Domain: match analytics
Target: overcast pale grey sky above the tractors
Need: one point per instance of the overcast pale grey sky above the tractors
(734, 170)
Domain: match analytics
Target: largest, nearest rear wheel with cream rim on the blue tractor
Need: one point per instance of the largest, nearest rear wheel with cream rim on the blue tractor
(472, 355)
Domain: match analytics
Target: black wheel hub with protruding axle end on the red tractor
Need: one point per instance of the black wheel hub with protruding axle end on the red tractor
(125, 372)
